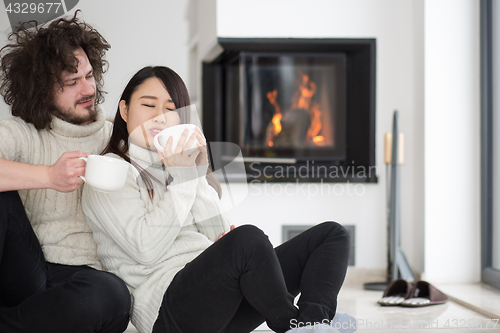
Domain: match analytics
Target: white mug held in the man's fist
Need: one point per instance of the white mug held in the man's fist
(105, 174)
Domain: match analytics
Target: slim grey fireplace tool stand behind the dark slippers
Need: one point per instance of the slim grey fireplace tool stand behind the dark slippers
(397, 265)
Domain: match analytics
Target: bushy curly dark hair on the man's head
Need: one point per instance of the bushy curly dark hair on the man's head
(32, 62)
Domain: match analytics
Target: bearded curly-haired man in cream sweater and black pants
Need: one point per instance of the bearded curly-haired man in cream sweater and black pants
(49, 270)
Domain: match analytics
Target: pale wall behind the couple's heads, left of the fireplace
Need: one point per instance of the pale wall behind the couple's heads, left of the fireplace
(141, 33)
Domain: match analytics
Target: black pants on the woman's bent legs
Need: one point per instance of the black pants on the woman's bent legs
(240, 281)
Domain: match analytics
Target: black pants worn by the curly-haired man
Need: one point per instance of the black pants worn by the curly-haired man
(37, 296)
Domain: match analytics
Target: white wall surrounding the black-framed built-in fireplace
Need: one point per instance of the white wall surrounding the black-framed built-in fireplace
(391, 22)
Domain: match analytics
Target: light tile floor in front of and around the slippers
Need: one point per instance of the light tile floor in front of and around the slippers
(450, 317)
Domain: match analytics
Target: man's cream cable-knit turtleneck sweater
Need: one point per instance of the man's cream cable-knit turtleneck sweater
(57, 218)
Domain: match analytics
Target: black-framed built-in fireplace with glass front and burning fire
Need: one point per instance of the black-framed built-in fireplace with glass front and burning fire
(299, 109)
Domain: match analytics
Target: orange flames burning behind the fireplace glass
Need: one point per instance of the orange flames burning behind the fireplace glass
(301, 99)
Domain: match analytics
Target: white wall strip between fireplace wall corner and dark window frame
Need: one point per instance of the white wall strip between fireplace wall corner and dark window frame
(452, 145)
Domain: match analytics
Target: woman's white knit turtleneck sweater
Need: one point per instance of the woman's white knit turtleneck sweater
(143, 241)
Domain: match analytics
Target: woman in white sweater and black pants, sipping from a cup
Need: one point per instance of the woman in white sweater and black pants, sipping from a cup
(162, 234)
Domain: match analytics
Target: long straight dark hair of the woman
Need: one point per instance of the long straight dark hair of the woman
(119, 143)
